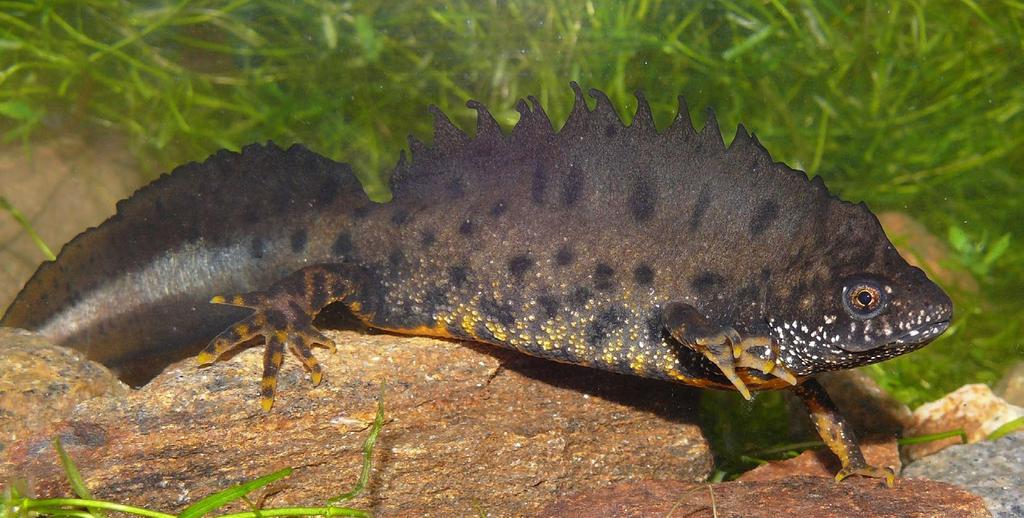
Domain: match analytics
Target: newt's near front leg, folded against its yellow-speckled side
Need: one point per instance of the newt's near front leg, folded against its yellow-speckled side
(723, 347)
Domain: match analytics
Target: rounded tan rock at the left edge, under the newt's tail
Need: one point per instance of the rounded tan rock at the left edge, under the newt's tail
(40, 383)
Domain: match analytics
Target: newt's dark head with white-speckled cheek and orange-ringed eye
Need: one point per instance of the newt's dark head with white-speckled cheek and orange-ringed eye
(856, 304)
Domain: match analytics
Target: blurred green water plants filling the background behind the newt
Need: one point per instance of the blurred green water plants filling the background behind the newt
(916, 107)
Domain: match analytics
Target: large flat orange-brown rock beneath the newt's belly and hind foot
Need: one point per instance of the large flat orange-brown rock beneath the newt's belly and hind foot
(468, 428)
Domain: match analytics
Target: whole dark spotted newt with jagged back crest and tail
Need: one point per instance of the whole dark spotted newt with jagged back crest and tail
(664, 255)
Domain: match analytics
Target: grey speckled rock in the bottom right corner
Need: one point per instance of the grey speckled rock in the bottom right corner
(994, 470)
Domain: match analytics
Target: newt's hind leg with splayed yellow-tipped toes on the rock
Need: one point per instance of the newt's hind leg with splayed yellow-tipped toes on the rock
(283, 317)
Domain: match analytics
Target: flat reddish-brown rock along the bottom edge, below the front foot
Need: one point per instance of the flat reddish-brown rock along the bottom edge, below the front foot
(789, 497)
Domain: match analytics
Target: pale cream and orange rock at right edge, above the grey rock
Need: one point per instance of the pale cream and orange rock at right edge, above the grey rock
(972, 408)
